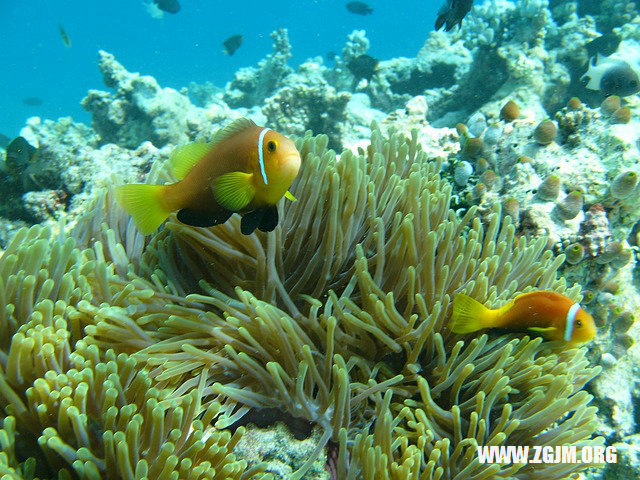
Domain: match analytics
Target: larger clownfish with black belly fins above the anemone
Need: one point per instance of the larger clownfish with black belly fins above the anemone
(245, 169)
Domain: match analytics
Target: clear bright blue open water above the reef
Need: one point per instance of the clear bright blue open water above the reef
(176, 49)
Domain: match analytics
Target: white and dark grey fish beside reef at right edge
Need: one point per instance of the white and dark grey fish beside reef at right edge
(612, 77)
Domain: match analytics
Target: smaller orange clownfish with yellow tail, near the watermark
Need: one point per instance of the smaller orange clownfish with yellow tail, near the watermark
(551, 314)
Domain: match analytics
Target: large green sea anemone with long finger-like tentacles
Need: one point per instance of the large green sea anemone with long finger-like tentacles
(129, 359)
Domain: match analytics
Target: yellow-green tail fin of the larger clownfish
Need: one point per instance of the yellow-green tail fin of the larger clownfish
(145, 204)
